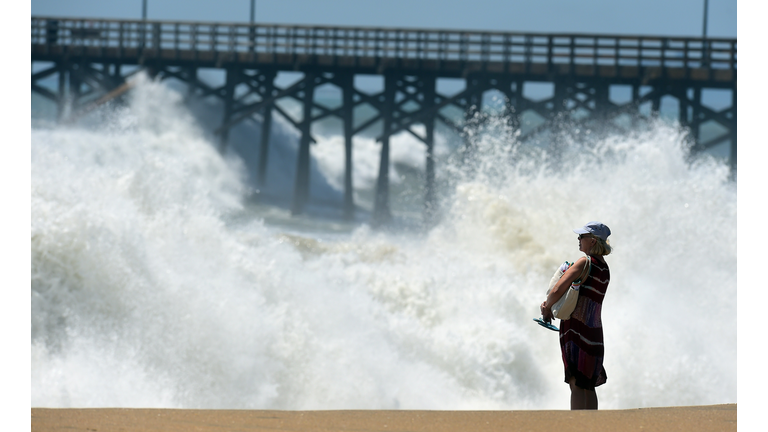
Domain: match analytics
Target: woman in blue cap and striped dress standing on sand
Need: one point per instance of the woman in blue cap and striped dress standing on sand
(581, 336)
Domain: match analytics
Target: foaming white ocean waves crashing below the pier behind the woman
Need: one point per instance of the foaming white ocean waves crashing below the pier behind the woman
(159, 281)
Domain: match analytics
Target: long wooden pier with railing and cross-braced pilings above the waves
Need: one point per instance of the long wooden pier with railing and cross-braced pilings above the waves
(90, 57)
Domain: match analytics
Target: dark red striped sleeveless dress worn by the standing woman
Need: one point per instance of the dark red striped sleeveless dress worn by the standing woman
(581, 336)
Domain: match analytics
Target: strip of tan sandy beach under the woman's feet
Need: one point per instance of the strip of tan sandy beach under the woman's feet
(696, 418)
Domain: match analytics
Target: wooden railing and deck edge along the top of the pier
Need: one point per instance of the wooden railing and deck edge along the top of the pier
(493, 51)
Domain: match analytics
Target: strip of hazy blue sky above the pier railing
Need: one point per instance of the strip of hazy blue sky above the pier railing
(627, 17)
